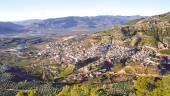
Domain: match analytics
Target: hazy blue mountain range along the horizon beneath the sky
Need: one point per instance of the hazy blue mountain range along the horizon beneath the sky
(72, 24)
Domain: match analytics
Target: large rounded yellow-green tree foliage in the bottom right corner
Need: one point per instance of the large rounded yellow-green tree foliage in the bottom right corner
(152, 86)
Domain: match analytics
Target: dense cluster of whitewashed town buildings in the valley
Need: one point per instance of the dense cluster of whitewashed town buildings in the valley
(73, 51)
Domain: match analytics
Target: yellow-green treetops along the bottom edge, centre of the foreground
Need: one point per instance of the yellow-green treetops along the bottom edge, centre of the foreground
(87, 89)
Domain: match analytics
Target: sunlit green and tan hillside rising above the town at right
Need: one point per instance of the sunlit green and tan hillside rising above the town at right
(153, 31)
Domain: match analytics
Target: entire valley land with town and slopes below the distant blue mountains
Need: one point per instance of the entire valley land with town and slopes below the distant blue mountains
(111, 62)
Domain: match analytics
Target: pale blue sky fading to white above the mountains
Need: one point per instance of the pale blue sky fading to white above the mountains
(14, 10)
